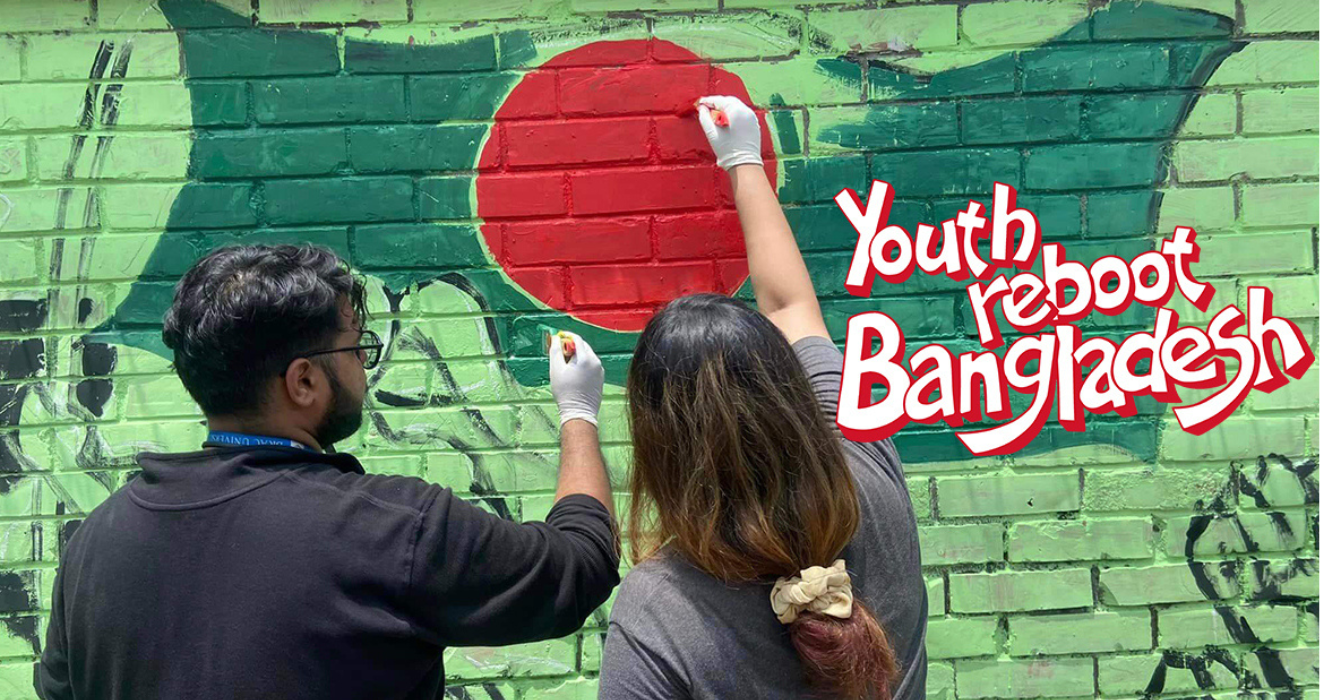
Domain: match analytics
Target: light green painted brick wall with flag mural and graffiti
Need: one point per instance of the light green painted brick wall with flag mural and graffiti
(502, 167)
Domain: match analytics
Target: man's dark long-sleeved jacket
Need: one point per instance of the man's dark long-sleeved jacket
(283, 574)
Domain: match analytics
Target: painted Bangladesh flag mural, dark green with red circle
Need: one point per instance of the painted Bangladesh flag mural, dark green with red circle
(555, 176)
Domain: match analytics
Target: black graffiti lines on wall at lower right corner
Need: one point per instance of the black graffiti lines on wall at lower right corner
(1240, 631)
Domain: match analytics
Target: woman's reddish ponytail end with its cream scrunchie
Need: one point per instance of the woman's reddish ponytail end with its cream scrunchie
(844, 649)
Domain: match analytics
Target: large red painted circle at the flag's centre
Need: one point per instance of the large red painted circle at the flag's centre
(599, 192)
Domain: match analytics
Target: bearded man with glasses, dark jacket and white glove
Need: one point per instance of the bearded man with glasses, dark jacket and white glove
(267, 566)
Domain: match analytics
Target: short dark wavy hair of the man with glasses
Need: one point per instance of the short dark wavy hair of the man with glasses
(242, 314)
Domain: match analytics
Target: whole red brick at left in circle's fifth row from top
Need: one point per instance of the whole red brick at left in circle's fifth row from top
(595, 241)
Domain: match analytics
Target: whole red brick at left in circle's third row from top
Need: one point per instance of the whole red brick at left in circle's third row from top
(579, 142)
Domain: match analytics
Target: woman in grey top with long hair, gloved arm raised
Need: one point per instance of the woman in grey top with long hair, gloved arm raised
(773, 558)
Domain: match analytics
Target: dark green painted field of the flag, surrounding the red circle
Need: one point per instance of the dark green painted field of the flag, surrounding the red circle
(409, 253)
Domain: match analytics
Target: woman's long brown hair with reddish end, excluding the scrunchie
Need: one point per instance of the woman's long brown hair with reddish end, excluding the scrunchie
(737, 470)
